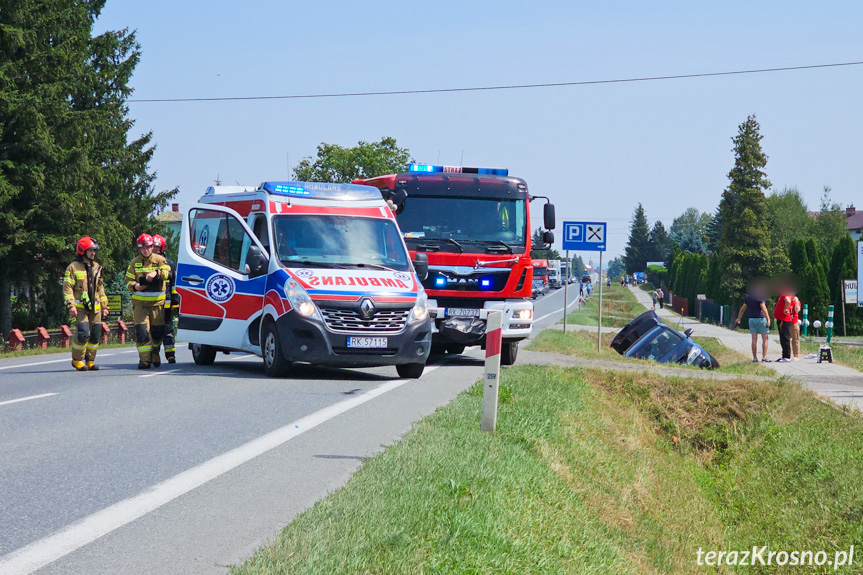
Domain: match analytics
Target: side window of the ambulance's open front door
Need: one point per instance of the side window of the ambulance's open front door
(218, 237)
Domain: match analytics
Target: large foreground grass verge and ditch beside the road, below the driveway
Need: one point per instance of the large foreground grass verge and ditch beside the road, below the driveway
(592, 472)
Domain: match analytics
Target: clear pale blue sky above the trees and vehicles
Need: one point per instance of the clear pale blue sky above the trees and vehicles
(595, 150)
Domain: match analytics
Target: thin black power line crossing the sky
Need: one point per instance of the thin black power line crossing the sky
(488, 88)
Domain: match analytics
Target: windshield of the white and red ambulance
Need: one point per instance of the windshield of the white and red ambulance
(339, 241)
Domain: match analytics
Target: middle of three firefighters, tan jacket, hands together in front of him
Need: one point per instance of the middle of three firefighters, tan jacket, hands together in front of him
(146, 278)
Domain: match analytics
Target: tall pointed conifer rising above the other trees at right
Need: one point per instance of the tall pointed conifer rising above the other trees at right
(744, 243)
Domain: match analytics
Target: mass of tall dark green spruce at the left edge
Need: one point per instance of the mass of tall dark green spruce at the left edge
(68, 167)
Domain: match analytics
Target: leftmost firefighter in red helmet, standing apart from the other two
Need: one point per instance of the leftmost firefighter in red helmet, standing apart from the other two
(84, 294)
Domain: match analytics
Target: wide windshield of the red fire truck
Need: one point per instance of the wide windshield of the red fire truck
(476, 224)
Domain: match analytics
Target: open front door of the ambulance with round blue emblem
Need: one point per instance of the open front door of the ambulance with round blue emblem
(221, 276)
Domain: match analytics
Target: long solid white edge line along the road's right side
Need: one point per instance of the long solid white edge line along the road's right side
(36, 555)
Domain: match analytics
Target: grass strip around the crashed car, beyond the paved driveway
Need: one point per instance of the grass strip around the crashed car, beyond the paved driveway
(583, 344)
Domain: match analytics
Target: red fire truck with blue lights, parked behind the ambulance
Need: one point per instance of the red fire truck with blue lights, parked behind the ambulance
(473, 226)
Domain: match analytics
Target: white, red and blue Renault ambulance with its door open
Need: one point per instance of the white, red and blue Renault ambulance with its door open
(301, 272)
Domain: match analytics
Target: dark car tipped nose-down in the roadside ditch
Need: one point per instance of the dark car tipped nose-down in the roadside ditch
(646, 337)
